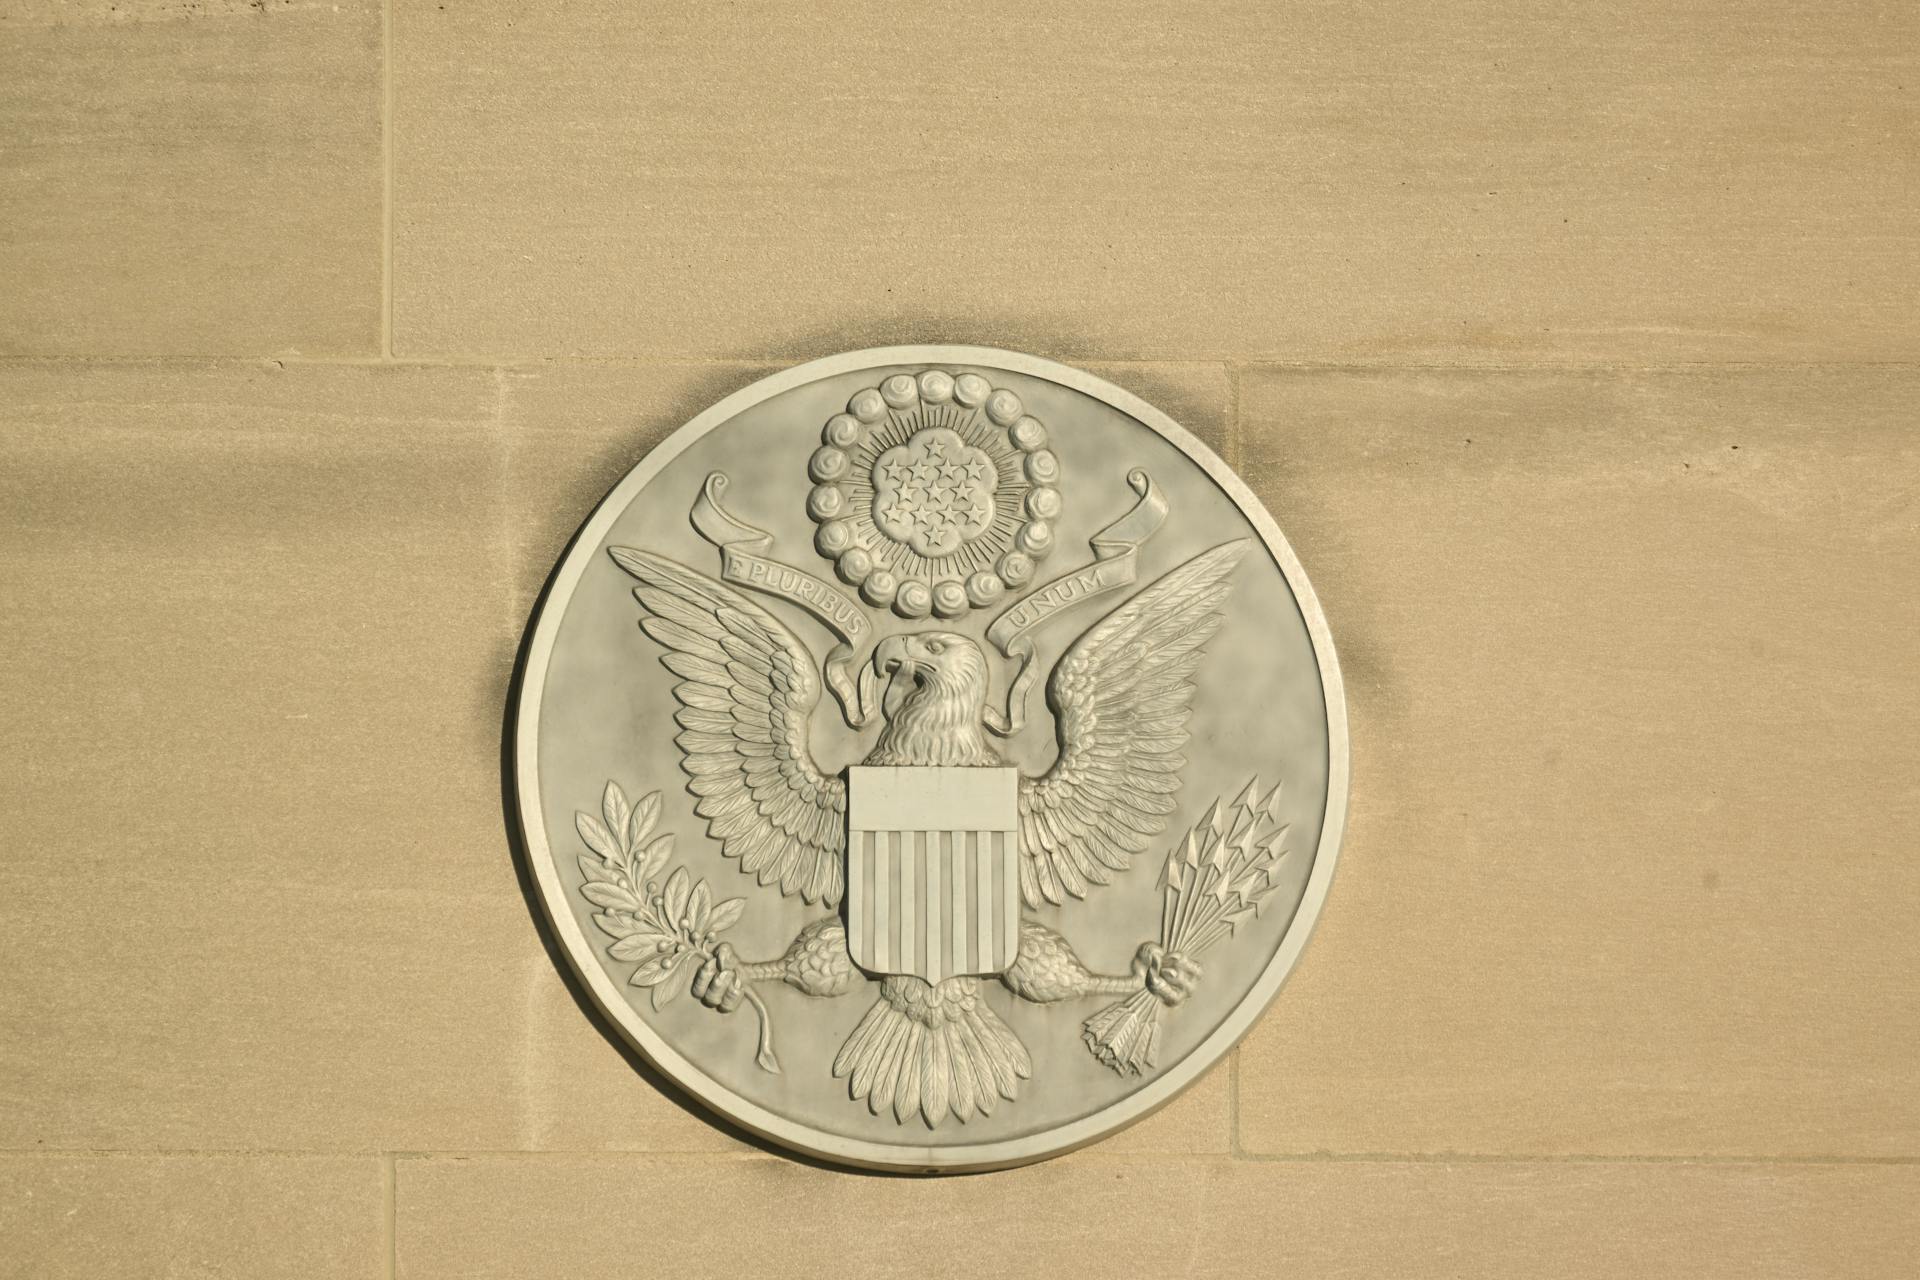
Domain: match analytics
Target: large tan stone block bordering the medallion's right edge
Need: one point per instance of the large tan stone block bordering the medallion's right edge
(1631, 665)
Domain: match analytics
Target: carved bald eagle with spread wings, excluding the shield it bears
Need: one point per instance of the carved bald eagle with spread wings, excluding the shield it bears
(1122, 698)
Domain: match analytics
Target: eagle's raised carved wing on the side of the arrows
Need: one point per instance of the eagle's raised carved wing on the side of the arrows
(1120, 698)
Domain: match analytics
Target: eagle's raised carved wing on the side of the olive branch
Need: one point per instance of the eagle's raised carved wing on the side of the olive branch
(748, 690)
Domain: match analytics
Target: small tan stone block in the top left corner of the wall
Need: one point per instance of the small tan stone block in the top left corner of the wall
(191, 179)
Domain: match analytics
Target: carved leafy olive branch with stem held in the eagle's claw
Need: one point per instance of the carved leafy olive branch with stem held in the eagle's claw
(671, 930)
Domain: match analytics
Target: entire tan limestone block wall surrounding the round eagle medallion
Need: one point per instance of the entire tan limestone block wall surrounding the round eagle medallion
(1573, 346)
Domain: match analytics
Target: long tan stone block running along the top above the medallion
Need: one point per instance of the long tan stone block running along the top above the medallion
(1387, 181)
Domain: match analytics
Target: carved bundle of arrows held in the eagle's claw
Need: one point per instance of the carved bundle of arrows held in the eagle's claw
(1212, 884)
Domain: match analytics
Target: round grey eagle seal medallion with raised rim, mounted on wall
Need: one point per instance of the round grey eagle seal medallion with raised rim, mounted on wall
(932, 759)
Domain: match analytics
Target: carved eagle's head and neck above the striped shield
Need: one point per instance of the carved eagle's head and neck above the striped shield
(934, 703)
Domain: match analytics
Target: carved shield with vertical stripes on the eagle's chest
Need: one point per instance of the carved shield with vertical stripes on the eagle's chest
(932, 870)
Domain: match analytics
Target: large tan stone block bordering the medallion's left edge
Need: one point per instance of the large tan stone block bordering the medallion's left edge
(258, 640)
